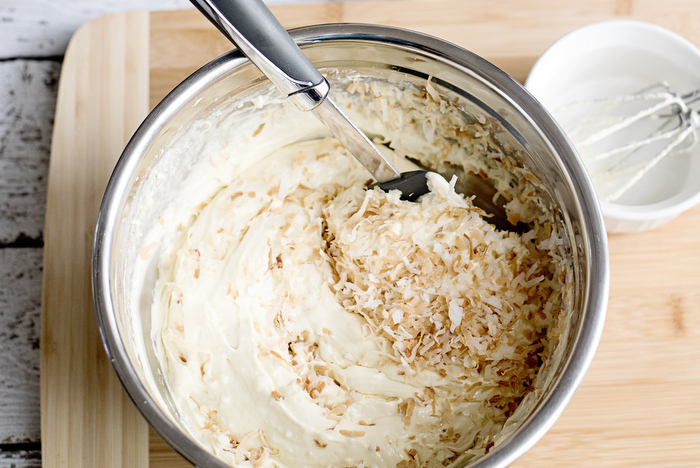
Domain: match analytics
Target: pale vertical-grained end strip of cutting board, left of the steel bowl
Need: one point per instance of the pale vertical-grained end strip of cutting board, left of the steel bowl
(87, 419)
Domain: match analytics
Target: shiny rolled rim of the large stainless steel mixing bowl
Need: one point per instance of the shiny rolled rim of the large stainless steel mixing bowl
(595, 244)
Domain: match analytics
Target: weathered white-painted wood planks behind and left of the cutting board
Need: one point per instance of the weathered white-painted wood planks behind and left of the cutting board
(33, 38)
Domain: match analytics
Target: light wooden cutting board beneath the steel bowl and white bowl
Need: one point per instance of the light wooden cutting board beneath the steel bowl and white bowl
(638, 405)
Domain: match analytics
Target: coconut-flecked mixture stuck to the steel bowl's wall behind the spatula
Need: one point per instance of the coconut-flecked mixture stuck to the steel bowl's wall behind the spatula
(420, 124)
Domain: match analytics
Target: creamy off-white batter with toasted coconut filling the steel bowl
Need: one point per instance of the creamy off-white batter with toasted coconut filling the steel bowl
(302, 320)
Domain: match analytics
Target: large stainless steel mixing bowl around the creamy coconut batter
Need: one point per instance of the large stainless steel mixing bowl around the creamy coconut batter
(132, 203)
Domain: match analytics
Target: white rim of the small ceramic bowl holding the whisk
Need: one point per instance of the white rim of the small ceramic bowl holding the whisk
(668, 208)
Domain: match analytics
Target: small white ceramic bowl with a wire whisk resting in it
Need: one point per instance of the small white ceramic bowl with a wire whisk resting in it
(614, 58)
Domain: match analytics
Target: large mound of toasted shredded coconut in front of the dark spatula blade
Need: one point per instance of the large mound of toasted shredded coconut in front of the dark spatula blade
(445, 290)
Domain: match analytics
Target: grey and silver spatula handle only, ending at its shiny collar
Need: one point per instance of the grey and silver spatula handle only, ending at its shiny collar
(257, 33)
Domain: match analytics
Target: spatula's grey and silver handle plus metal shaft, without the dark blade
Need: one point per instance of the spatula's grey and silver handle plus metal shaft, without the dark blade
(252, 27)
